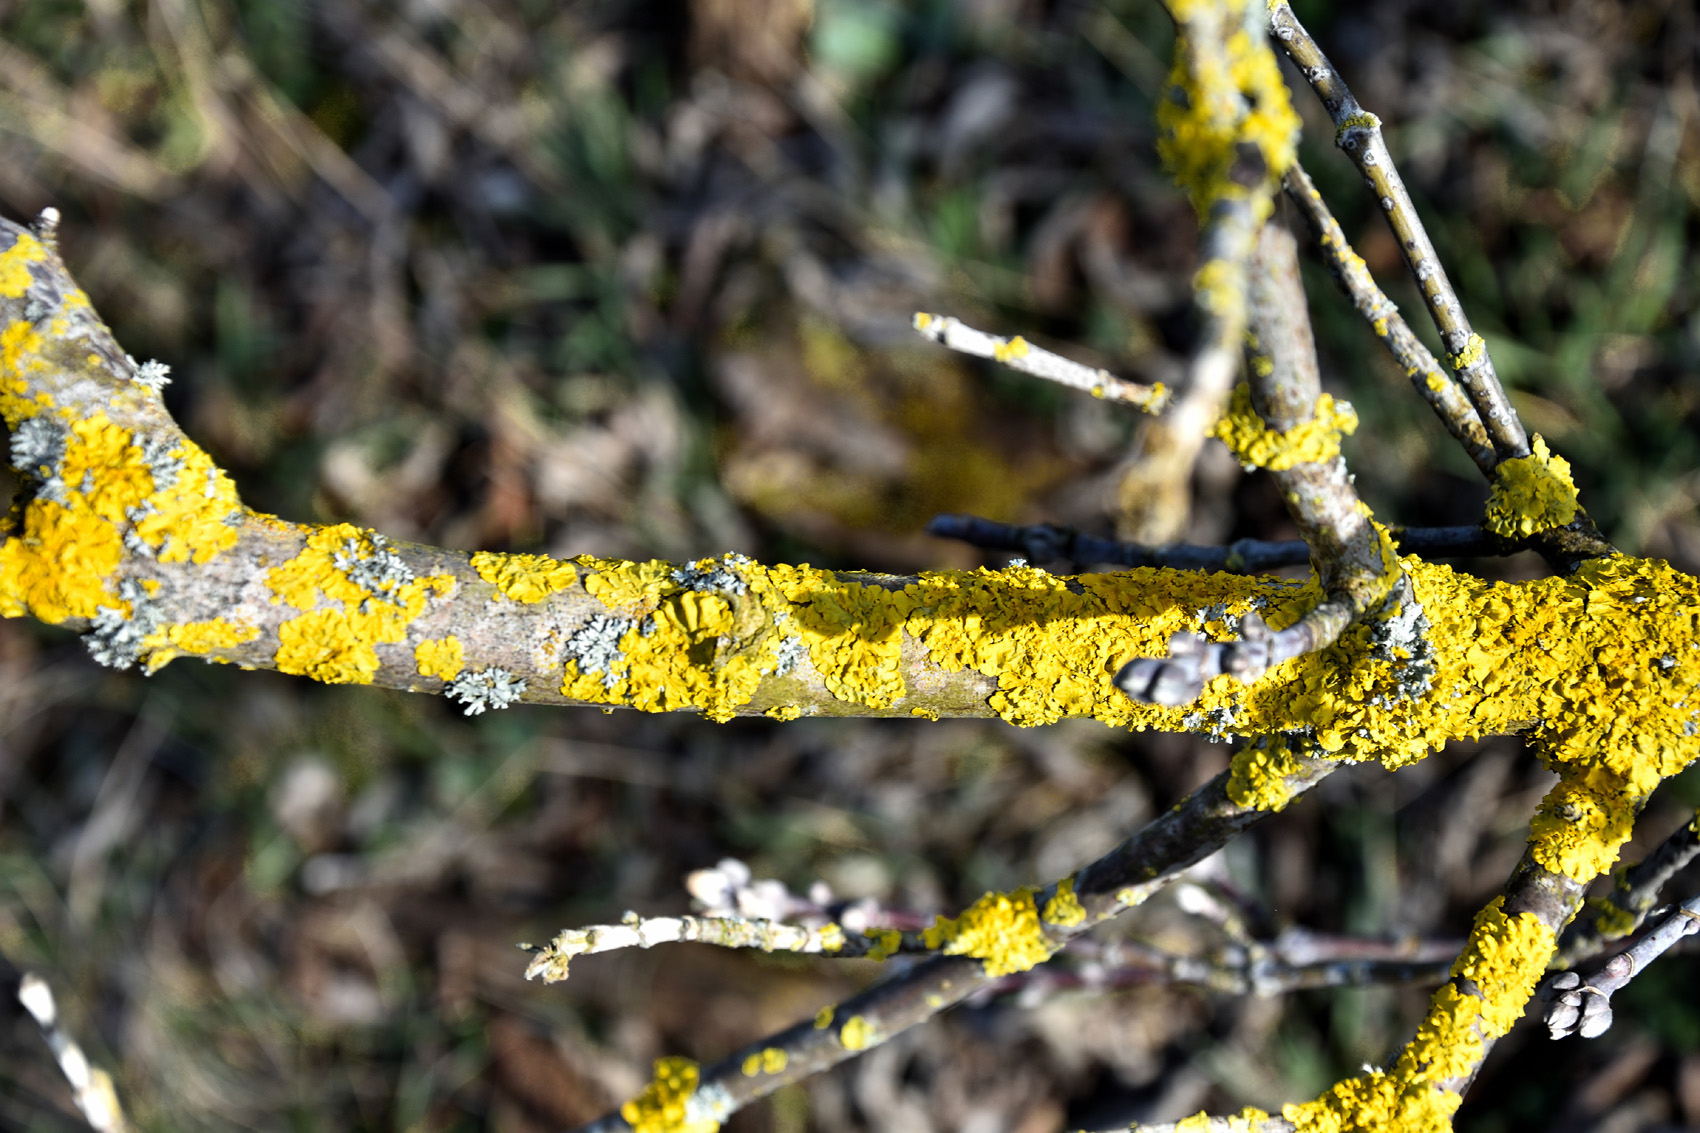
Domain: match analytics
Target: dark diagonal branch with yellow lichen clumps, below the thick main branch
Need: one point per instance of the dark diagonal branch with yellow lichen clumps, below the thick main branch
(1000, 935)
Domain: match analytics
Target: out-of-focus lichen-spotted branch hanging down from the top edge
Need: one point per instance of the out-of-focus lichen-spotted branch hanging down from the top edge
(1228, 135)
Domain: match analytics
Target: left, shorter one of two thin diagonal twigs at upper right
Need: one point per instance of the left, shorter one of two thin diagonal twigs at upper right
(1349, 270)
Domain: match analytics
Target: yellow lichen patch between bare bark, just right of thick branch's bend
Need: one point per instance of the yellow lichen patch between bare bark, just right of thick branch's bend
(337, 642)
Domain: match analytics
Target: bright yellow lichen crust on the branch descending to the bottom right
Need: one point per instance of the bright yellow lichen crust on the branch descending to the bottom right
(1504, 960)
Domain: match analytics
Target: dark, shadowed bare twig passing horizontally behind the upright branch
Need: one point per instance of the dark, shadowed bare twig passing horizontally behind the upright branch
(1050, 544)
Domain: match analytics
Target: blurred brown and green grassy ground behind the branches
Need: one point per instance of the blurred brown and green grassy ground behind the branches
(637, 280)
